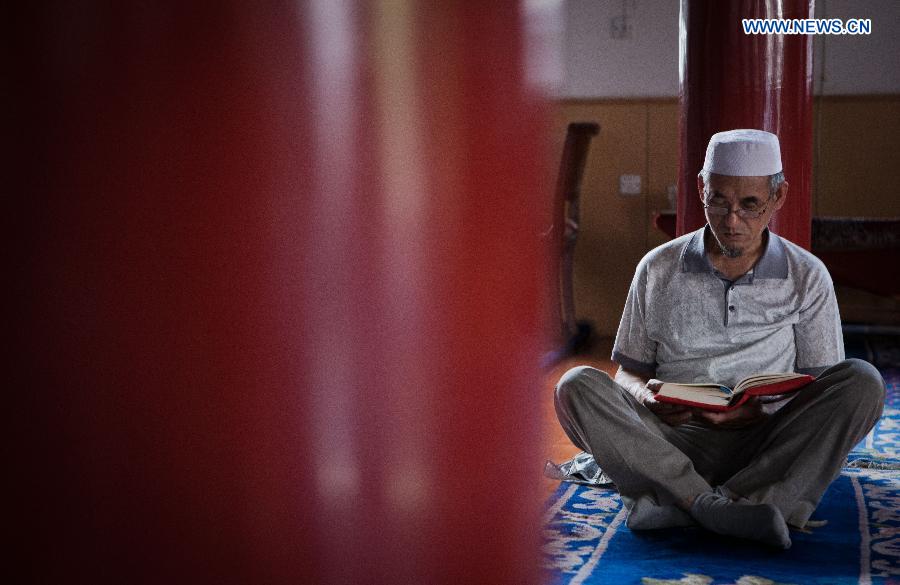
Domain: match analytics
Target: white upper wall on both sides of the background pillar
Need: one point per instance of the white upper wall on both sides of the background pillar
(603, 58)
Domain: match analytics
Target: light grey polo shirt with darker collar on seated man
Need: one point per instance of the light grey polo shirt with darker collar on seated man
(683, 322)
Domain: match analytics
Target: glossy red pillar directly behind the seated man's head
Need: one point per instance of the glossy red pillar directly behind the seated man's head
(732, 80)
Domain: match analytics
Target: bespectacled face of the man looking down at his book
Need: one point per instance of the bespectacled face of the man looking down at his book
(737, 231)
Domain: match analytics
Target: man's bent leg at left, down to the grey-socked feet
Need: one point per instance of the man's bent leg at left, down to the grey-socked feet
(649, 461)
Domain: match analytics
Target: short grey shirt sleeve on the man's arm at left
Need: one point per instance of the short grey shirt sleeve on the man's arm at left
(633, 349)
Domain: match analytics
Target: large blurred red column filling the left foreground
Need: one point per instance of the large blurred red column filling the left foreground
(281, 295)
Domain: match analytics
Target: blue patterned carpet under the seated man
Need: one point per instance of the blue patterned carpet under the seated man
(855, 538)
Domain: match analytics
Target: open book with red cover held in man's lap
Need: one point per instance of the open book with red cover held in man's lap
(719, 397)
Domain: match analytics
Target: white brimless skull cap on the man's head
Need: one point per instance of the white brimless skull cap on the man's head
(743, 153)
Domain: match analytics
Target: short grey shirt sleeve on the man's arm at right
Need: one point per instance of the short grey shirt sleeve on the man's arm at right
(817, 334)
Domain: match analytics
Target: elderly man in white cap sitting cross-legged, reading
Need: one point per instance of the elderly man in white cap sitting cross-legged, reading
(727, 301)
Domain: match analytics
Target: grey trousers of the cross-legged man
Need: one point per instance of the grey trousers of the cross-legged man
(788, 460)
